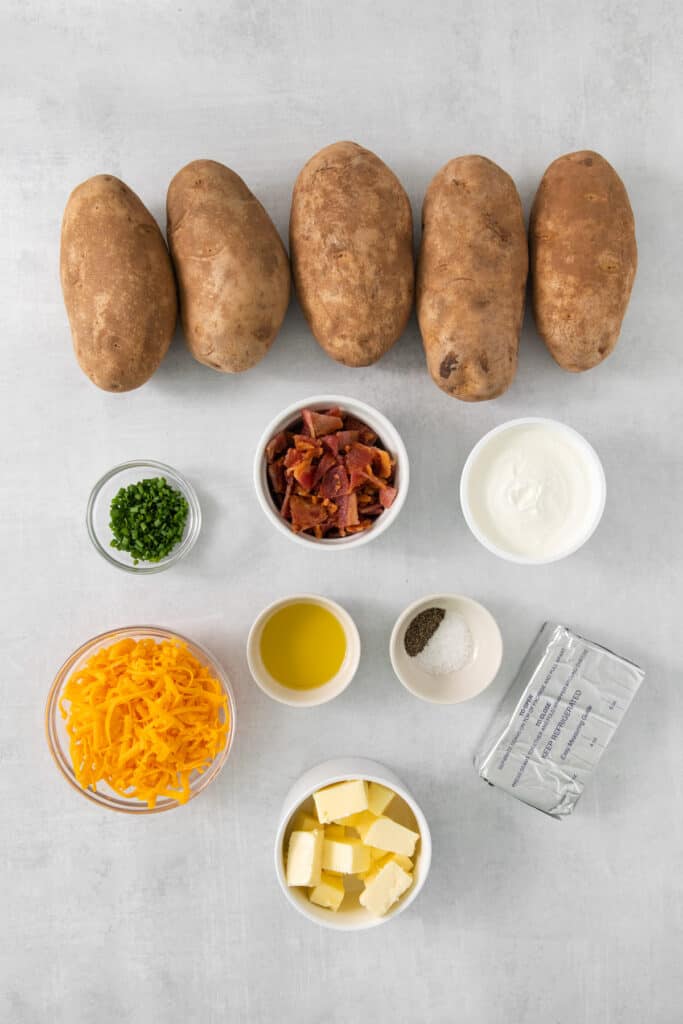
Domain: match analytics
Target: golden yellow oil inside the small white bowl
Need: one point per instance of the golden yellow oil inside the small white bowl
(304, 646)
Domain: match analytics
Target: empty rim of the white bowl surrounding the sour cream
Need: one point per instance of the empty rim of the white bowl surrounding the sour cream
(597, 484)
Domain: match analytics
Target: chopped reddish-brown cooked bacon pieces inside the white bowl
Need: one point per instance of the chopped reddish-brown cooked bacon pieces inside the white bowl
(329, 475)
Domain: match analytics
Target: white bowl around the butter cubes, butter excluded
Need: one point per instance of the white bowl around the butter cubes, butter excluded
(340, 771)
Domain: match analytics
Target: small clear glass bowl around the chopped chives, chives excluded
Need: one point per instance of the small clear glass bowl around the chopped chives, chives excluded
(100, 503)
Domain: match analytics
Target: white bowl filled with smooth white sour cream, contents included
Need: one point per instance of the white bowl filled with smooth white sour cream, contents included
(533, 491)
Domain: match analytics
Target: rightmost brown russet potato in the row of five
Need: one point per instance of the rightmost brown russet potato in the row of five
(584, 259)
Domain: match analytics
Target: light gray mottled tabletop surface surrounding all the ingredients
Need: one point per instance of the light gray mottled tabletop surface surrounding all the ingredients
(179, 918)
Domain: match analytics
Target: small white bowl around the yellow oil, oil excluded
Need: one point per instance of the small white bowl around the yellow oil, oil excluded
(321, 695)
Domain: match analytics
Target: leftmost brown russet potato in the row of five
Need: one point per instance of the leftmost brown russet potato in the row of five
(118, 284)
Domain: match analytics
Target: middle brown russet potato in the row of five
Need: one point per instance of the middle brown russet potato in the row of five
(352, 248)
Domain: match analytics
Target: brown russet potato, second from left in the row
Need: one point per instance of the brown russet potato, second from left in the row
(233, 272)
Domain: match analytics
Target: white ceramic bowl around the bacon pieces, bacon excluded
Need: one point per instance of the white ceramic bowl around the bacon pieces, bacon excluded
(387, 433)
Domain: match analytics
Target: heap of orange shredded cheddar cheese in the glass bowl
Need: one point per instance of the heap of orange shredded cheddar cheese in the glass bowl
(143, 717)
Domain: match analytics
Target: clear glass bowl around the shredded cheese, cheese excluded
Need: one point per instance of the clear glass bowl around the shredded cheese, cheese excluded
(58, 738)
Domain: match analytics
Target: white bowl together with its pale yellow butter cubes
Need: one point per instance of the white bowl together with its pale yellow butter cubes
(354, 847)
